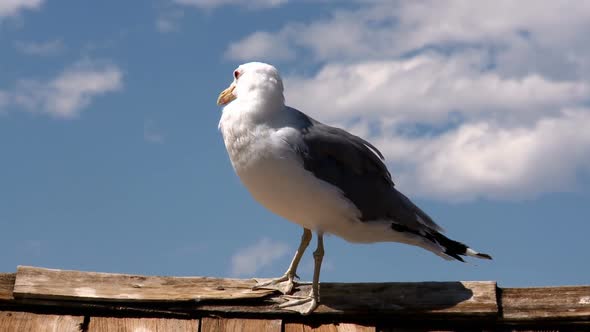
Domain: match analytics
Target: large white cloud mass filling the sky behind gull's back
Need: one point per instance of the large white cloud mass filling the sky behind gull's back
(466, 99)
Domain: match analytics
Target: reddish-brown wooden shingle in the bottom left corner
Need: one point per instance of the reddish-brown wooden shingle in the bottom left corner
(11, 321)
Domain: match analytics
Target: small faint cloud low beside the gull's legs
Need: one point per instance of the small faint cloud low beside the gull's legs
(248, 261)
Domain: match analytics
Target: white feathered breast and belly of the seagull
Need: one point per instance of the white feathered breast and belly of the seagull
(274, 174)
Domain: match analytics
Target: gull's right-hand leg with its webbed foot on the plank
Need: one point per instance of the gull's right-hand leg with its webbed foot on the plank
(306, 305)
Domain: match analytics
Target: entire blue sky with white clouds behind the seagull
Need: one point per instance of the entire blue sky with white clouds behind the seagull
(111, 159)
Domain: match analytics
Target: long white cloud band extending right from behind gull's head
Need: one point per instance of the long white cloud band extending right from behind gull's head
(427, 88)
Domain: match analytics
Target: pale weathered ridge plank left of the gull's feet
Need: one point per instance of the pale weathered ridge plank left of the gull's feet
(33, 282)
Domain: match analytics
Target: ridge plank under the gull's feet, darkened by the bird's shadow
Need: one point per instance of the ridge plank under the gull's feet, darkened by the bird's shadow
(434, 299)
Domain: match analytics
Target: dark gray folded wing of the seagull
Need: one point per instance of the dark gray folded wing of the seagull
(356, 167)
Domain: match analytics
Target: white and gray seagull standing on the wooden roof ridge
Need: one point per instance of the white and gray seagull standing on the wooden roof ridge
(322, 178)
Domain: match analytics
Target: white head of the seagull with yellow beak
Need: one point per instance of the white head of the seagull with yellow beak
(254, 81)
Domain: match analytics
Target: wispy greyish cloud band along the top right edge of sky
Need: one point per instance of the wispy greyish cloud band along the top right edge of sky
(384, 28)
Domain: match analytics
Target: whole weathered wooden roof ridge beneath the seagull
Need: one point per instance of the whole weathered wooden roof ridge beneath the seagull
(177, 300)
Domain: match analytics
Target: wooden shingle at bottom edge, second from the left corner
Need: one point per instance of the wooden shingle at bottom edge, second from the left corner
(109, 324)
